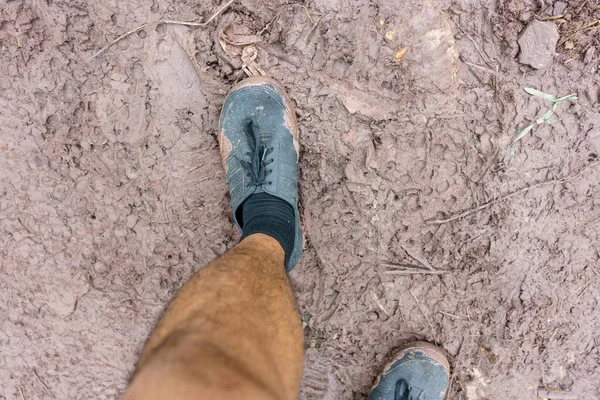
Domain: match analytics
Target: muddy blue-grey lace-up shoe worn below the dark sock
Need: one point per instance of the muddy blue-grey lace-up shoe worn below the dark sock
(258, 139)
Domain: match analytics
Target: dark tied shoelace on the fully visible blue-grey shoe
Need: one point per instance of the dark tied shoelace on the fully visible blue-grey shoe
(256, 168)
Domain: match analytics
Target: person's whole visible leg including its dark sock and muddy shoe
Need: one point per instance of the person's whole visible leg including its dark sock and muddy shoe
(233, 331)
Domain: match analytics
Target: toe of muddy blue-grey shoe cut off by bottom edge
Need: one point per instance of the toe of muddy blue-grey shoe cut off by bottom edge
(418, 371)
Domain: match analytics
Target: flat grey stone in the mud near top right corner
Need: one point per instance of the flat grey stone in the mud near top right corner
(538, 44)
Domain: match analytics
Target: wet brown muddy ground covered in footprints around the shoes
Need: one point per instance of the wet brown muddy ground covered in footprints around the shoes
(112, 193)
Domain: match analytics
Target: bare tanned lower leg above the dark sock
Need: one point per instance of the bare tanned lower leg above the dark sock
(232, 332)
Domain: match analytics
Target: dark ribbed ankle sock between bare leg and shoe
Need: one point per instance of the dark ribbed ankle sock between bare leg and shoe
(264, 213)
